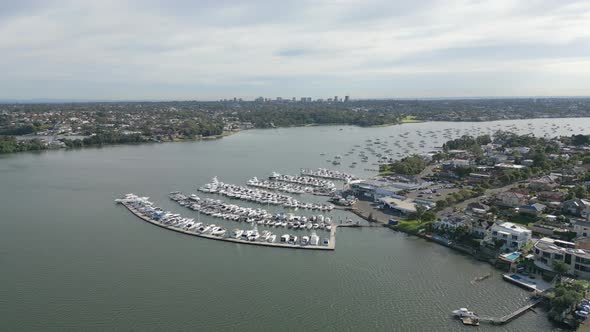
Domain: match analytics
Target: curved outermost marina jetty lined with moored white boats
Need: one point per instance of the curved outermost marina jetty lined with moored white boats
(145, 210)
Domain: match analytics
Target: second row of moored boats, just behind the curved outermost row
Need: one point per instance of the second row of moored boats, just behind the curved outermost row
(219, 209)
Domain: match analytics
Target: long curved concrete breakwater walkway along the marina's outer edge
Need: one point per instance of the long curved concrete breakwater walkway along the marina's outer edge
(330, 246)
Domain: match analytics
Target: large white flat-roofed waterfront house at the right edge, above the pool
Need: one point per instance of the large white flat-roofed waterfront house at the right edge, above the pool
(548, 251)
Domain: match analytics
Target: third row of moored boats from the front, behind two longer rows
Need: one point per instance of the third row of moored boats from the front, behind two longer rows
(259, 196)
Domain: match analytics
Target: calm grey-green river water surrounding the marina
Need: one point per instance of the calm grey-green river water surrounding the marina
(73, 260)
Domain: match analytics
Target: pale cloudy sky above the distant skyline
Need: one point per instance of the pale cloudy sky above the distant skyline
(212, 49)
